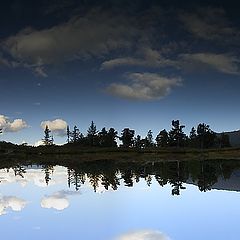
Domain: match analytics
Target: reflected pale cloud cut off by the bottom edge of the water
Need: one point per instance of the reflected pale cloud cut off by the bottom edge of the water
(144, 235)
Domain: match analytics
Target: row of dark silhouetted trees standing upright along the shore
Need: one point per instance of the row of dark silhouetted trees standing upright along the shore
(200, 137)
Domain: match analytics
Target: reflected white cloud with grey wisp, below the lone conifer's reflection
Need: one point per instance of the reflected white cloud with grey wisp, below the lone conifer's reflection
(58, 200)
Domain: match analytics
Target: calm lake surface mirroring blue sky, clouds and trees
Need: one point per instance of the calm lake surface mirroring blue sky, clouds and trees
(110, 200)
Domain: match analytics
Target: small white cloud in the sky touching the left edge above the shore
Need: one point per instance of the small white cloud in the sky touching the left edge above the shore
(11, 126)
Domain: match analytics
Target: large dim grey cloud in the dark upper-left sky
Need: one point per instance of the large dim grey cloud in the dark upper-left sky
(94, 34)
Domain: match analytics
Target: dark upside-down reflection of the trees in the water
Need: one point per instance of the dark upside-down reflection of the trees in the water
(110, 174)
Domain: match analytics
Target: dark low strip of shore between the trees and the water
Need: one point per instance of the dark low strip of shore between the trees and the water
(61, 155)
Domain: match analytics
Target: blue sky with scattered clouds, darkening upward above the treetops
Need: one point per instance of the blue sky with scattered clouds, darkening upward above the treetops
(137, 65)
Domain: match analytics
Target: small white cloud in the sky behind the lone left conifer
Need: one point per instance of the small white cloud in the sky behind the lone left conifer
(57, 126)
